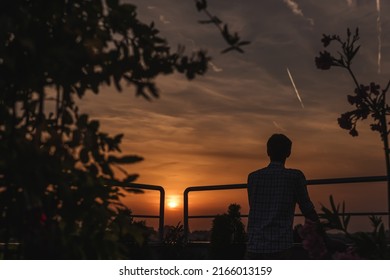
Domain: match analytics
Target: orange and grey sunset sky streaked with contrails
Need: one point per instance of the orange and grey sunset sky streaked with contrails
(213, 130)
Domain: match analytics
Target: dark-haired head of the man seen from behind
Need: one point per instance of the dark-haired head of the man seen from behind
(279, 147)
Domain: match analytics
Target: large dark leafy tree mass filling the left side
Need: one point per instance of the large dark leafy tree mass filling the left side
(59, 183)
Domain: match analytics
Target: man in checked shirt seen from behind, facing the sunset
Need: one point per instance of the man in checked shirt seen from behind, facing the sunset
(273, 193)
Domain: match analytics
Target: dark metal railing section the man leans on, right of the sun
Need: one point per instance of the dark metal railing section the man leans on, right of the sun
(331, 181)
